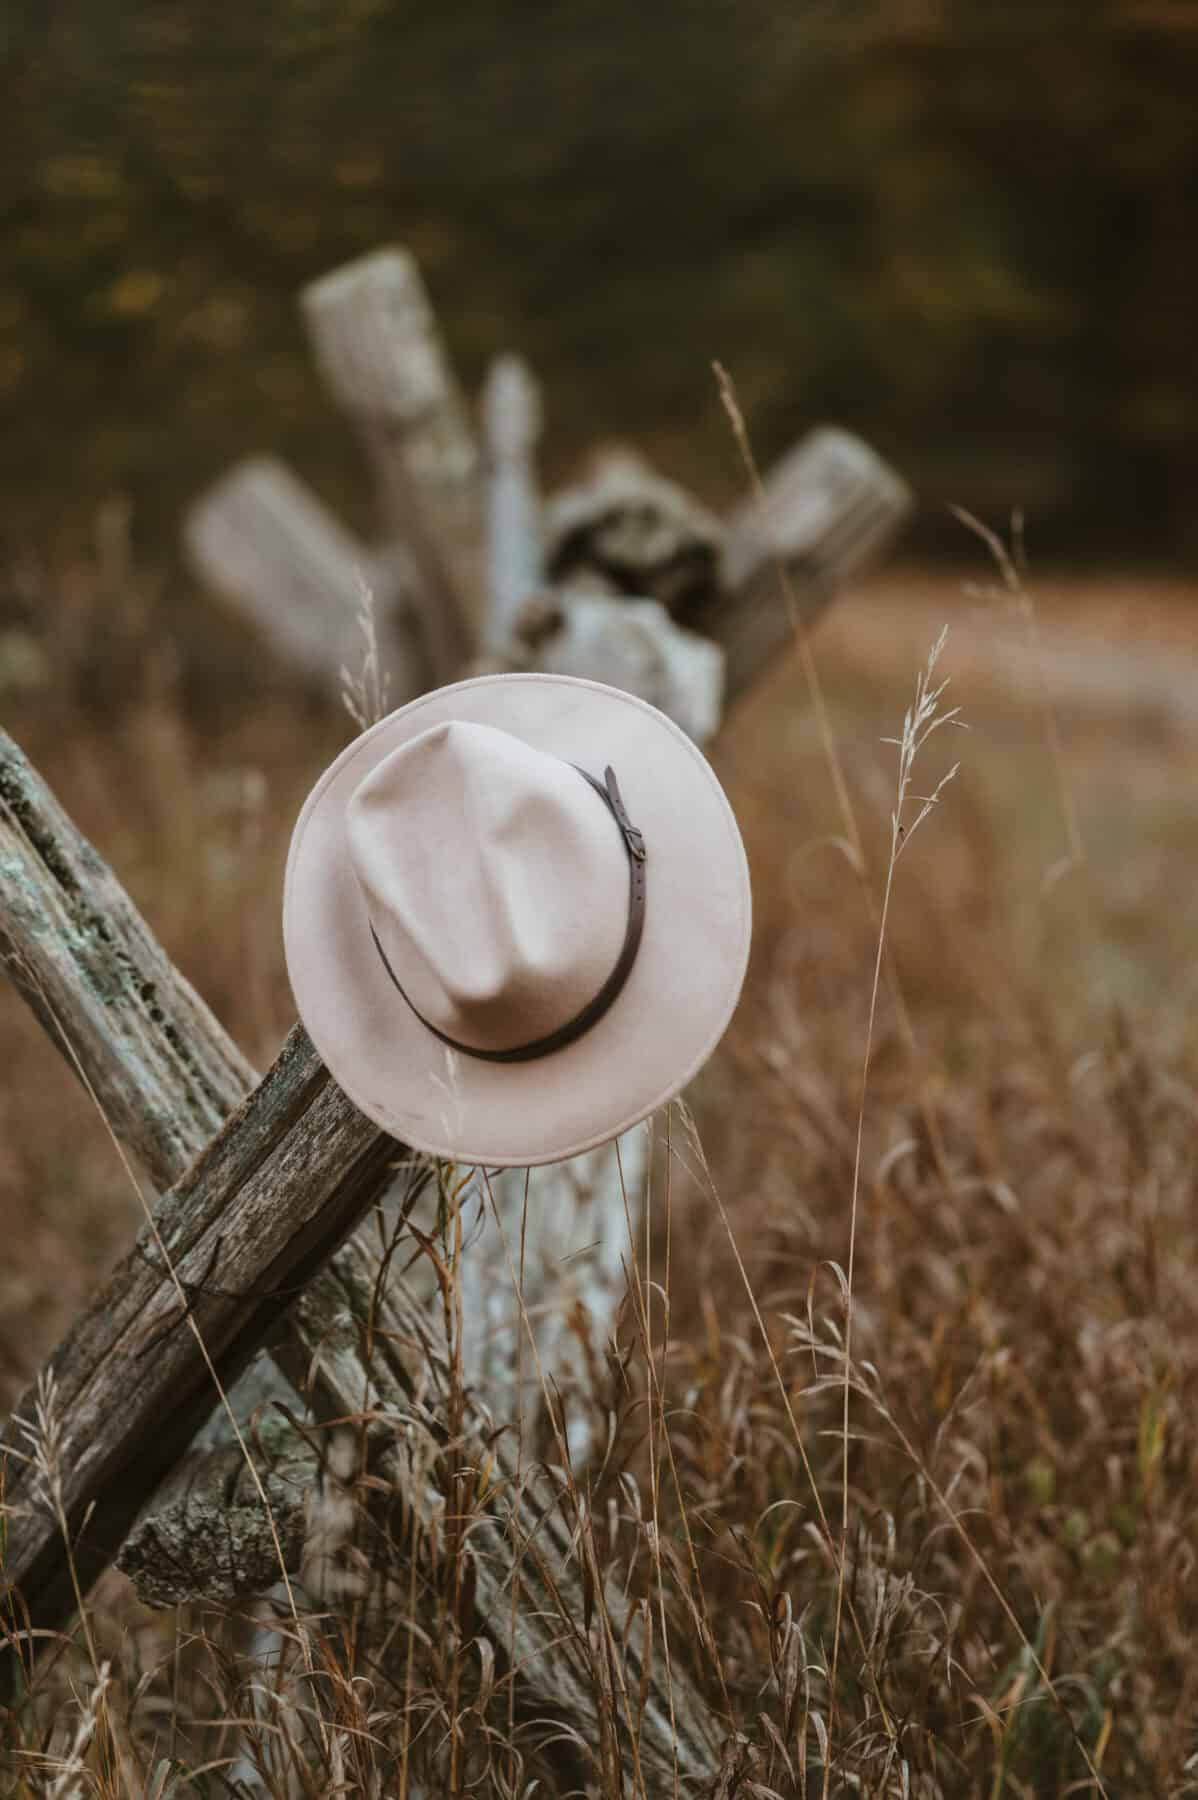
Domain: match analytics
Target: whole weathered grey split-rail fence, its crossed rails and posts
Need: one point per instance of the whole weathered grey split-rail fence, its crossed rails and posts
(267, 1264)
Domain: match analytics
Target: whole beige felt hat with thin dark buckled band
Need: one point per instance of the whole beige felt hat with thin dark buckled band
(517, 917)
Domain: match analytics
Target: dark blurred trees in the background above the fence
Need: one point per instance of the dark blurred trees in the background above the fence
(961, 228)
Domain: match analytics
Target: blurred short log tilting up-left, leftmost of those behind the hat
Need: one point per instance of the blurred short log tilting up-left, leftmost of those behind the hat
(274, 552)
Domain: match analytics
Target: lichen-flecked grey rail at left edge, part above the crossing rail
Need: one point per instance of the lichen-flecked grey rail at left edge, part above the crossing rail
(161, 1068)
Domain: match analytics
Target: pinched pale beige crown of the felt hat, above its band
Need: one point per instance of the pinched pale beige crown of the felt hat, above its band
(496, 881)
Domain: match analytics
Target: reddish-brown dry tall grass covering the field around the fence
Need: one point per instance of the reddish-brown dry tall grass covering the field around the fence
(987, 1587)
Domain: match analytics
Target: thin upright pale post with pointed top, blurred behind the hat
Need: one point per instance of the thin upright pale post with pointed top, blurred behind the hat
(512, 426)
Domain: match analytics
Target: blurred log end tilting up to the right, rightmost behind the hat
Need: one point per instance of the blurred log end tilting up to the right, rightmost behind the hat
(830, 508)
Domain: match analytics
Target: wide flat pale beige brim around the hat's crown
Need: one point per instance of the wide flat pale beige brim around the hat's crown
(668, 1018)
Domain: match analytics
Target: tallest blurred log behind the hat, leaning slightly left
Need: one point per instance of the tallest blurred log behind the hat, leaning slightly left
(377, 345)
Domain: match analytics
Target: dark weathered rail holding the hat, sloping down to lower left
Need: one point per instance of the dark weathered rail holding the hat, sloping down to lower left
(264, 1209)
